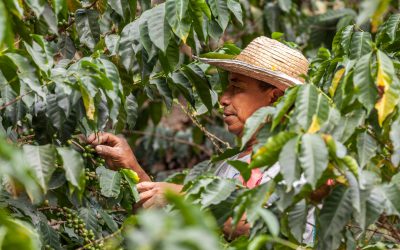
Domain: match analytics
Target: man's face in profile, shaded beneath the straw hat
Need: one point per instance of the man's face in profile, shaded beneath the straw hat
(241, 98)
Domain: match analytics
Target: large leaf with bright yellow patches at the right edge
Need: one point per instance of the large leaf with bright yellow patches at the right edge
(387, 80)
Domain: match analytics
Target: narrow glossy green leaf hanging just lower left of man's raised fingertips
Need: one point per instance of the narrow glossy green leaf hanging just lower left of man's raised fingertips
(73, 166)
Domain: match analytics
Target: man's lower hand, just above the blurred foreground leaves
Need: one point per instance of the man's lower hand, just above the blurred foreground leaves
(152, 193)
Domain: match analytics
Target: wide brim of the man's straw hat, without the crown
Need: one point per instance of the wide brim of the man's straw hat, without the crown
(275, 78)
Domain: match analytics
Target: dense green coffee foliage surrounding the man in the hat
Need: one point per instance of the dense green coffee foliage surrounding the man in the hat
(72, 68)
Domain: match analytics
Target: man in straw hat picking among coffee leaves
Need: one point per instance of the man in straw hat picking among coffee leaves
(258, 77)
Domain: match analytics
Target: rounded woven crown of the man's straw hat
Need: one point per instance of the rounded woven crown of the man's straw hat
(273, 55)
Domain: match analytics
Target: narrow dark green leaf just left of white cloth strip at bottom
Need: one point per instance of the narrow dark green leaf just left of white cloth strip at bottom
(297, 218)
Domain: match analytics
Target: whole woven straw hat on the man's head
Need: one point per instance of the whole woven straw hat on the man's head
(267, 60)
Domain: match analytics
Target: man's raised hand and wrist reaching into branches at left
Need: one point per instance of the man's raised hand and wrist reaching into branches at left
(117, 152)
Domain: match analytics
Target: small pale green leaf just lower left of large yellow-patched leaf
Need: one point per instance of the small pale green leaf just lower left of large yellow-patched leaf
(366, 148)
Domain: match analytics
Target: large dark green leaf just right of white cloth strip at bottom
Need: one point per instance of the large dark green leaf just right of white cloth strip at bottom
(335, 213)
